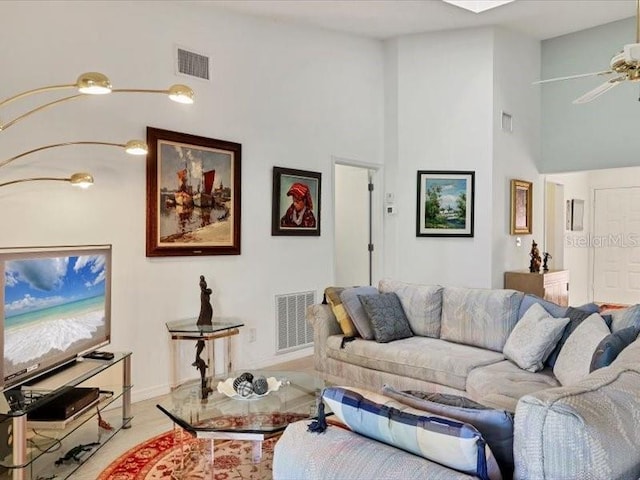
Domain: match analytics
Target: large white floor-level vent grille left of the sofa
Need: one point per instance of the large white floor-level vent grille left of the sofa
(294, 332)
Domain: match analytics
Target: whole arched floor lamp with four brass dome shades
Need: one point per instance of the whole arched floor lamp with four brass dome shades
(90, 83)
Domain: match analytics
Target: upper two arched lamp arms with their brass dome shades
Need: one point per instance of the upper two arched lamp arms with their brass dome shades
(93, 83)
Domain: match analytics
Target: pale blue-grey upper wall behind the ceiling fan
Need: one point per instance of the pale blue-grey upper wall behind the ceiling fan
(599, 134)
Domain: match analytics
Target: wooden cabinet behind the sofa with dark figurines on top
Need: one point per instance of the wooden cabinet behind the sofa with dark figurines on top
(552, 285)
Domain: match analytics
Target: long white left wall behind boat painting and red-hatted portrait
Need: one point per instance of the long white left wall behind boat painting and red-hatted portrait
(291, 96)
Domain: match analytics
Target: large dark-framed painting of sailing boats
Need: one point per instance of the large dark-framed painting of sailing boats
(193, 195)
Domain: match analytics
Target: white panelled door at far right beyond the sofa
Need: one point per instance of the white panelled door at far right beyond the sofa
(616, 245)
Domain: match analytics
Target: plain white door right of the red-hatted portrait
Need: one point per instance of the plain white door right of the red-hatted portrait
(352, 225)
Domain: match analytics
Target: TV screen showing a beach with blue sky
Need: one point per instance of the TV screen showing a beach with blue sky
(52, 306)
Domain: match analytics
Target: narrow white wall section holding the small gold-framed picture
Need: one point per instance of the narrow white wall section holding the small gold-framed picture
(516, 61)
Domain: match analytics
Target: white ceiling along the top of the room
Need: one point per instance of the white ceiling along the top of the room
(389, 18)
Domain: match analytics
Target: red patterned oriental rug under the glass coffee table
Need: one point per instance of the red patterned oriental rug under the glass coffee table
(164, 458)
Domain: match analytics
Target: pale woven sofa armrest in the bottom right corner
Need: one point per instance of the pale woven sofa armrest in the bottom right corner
(585, 431)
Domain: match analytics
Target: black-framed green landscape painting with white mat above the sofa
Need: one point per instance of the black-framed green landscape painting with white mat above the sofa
(445, 203)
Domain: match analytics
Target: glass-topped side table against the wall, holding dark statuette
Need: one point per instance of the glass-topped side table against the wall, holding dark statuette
(221, 328)
